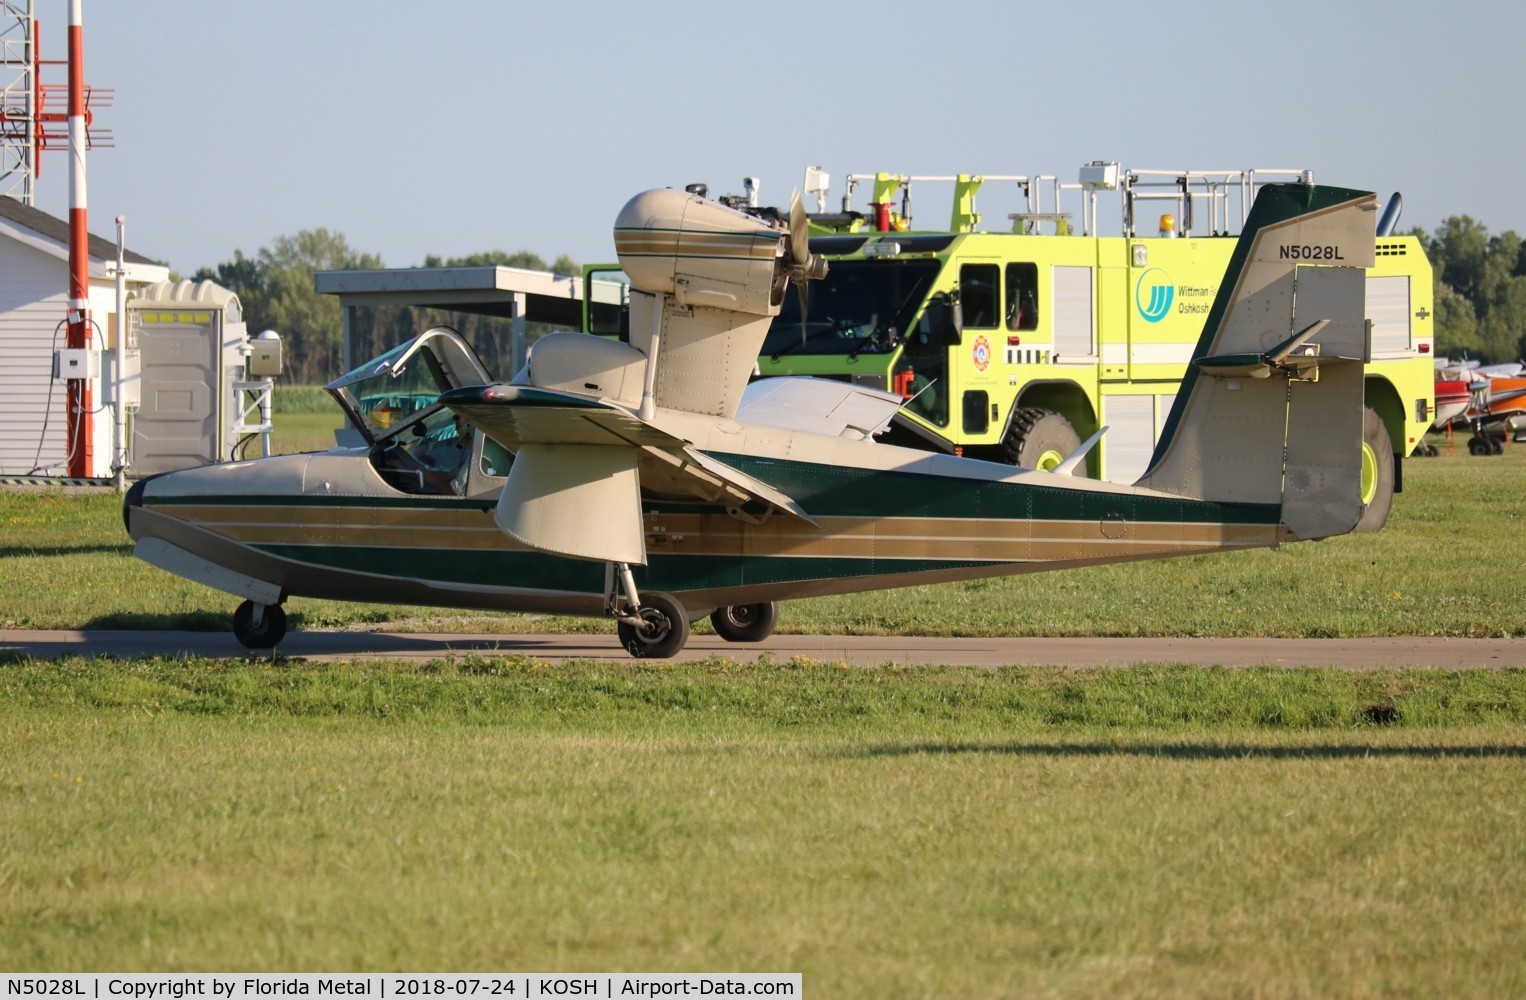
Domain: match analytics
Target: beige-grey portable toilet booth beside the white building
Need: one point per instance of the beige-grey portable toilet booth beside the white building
(192, 344)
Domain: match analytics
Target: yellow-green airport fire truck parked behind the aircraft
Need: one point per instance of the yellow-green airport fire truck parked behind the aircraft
(1020, 346)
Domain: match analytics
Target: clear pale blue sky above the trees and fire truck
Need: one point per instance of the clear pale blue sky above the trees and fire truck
(460, 126)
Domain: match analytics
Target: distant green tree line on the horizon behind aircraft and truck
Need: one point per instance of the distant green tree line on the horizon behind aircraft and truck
(1479, 285)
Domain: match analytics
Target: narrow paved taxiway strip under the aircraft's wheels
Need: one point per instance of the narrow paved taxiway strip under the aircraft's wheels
(1359, 654)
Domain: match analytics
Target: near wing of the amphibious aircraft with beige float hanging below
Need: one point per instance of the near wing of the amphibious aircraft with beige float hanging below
(584, 465)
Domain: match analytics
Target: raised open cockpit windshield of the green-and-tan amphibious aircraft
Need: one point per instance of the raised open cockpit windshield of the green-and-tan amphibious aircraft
(404, 387)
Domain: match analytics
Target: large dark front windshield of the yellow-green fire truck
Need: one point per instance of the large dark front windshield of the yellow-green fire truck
(861, 308)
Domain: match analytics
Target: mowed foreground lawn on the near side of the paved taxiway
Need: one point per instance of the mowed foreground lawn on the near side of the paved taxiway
(938, 833)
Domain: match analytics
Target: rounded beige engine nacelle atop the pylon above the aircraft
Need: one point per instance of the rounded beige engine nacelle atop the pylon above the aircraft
(703, 254)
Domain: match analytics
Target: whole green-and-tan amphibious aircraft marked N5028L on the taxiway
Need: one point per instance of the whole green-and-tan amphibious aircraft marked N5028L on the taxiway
(648, 482)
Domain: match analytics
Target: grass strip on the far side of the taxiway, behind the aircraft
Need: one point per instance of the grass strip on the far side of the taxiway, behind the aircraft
(1446, 566)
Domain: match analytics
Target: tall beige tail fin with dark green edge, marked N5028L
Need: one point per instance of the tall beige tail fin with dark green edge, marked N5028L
(1270, 411)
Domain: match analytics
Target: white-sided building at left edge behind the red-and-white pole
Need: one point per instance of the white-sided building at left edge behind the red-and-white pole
(34, 294)
